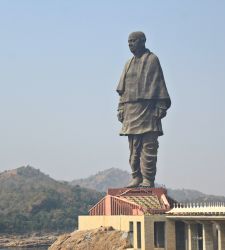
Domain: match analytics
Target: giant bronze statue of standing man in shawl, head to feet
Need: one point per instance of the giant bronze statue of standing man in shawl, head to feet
(144, 101)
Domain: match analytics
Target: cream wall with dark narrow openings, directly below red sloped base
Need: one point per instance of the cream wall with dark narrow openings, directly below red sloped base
(121, 222)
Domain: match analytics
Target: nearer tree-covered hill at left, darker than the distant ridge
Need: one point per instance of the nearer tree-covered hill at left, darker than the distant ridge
(32, 201)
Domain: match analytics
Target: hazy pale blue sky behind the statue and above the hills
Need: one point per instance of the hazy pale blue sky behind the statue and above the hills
(60, 63)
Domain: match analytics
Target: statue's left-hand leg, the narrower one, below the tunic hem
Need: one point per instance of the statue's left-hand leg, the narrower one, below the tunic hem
(135, 145)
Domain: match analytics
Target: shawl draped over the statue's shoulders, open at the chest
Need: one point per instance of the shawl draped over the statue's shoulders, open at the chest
(150, 80)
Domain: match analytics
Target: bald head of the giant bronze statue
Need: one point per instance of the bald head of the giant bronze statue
(136, 42)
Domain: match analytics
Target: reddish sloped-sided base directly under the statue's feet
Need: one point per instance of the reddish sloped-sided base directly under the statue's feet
(133, 201)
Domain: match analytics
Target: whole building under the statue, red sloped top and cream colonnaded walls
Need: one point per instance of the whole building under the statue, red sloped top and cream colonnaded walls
(155, 222)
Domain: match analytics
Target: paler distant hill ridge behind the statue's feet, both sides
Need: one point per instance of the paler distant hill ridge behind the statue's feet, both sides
(115, 177)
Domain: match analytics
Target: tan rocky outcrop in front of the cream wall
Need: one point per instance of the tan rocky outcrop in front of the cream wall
(97, 239)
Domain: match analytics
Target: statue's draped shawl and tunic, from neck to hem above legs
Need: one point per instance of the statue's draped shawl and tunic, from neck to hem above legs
(142, 91)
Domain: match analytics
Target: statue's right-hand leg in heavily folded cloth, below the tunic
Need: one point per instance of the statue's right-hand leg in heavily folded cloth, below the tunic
(148, 158)
